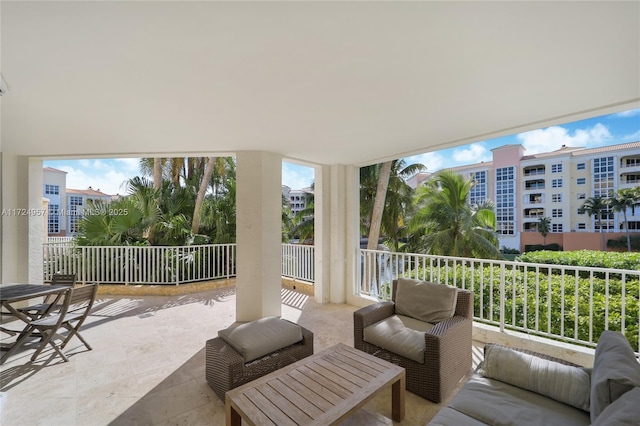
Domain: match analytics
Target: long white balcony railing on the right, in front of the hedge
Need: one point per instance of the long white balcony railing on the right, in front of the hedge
(565, 303)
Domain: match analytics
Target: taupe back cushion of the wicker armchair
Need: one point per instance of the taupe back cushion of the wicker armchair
(425, 301)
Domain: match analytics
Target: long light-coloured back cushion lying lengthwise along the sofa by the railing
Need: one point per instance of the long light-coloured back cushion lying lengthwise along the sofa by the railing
(563, 383)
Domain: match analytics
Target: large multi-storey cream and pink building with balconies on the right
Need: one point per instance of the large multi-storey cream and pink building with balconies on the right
(555, 184)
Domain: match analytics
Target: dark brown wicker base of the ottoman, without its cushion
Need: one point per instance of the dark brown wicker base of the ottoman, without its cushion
(226, 369)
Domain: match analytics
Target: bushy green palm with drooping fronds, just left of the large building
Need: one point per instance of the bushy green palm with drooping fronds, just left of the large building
(448, 225)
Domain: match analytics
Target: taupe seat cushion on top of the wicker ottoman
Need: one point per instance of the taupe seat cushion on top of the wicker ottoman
(261, 337)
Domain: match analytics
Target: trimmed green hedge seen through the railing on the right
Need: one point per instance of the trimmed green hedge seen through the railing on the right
(547, 304)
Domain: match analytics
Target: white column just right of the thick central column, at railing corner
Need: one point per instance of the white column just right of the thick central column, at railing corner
(336, 232)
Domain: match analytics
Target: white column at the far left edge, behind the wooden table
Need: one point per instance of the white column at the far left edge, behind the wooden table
(21, 222)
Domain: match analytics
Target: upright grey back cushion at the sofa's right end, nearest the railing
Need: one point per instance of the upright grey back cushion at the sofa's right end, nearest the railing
(615, 371)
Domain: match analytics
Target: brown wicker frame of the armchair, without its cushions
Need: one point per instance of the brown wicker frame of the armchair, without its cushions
(447, 353)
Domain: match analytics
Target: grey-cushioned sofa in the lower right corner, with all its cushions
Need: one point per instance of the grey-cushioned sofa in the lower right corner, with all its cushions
(520, 387)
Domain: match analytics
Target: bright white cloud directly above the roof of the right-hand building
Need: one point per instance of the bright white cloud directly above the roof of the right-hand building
(552, 138)
